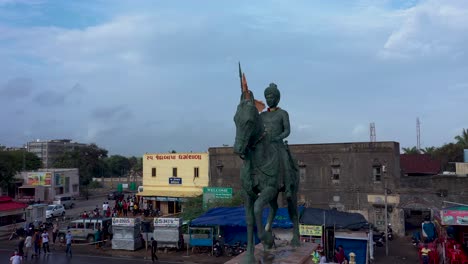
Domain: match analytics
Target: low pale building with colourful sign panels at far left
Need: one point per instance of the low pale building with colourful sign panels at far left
(45, 184)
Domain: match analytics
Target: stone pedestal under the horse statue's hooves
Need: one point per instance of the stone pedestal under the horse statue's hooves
(283, 254)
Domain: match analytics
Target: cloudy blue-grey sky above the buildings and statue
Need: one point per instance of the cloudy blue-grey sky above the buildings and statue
(152, 76)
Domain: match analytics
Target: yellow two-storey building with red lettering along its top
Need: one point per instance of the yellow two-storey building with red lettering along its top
(169, 178)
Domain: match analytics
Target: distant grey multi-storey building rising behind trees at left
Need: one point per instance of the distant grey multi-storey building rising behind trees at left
(49, 150)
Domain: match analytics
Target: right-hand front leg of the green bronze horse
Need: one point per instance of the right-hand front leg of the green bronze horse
(266, 196)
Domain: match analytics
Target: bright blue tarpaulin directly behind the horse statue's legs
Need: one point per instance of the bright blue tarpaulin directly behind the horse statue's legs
(232, 221)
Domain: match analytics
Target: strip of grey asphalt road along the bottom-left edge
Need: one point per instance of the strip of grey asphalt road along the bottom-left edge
(61, 258)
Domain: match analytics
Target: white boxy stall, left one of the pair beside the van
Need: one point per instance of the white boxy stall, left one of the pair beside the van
(126, 233)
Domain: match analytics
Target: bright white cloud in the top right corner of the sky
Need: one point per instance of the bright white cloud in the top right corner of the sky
(430, 29)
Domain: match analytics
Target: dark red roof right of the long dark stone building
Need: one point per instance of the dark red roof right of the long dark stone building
(419, 164)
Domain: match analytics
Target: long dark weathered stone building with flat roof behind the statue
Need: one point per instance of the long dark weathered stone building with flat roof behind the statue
(345, 176)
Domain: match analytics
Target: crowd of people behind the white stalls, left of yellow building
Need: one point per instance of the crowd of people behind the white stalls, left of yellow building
(132, 205)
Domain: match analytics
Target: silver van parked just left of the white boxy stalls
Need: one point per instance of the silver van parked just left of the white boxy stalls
(84, 229)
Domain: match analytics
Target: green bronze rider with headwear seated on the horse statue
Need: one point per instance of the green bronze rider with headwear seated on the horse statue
(276, 121)
